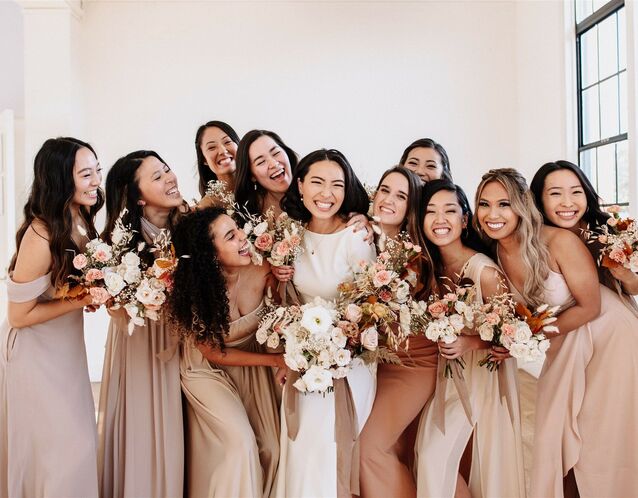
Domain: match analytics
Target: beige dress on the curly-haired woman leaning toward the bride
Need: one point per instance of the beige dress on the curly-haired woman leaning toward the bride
(232, 420)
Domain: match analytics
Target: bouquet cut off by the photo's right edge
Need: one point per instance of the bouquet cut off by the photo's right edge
(619, 238)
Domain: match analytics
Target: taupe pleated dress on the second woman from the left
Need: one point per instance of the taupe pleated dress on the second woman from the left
(140, 424)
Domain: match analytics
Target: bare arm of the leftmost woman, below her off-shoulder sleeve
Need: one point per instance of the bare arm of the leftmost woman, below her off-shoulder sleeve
(34, 261)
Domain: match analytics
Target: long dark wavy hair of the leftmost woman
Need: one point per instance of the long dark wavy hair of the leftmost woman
(50, 201)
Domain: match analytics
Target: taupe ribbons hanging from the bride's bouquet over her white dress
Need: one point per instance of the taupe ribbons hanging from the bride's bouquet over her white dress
(345, 431)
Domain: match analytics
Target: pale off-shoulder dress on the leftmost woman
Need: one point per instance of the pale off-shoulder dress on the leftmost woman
(47, 416)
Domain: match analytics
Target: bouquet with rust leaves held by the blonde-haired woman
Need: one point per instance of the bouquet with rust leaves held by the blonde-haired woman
(515, 328)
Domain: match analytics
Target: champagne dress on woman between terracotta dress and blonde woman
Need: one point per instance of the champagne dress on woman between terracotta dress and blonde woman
(493, 423)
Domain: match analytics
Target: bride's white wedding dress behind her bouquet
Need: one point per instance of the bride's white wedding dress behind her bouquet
(308, 465)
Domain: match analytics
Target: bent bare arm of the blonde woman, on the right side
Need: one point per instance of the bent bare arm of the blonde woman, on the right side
(578, 269)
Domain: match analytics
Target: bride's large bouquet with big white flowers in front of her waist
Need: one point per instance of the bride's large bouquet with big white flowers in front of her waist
(317, 344)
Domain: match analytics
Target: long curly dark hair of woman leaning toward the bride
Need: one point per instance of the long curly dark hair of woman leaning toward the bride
(198, 304)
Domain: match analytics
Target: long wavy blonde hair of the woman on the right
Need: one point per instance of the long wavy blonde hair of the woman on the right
(533, 251)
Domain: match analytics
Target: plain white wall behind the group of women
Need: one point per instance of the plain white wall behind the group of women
(486, 79)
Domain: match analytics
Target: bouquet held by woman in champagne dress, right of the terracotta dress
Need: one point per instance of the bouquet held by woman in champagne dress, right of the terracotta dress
(444, 318)
